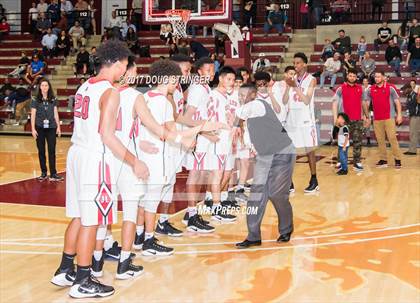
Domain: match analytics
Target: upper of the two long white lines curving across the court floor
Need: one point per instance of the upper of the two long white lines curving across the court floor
(15, 243)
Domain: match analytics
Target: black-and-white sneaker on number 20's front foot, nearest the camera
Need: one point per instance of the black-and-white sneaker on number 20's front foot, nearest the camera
(90, 287)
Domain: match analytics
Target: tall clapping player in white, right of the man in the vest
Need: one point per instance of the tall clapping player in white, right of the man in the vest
(300, 120)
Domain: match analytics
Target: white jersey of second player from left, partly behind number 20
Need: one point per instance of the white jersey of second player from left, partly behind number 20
(127, 129)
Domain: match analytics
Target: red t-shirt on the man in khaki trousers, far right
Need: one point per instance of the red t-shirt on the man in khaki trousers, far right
(383, 99)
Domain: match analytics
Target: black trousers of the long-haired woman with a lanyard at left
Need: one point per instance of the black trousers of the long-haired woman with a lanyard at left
(46, 134)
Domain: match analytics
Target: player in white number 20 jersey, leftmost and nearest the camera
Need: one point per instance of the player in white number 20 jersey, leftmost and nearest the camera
(90, 159)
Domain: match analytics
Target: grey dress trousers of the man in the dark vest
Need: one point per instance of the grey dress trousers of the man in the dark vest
(272, 179)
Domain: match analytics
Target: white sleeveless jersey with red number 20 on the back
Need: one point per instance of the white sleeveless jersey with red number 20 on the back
(87, 115)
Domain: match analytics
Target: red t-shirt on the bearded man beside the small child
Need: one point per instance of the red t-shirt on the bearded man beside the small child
(349, 99)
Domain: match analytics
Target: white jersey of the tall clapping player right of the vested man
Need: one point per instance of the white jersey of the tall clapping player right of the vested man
(300, 114)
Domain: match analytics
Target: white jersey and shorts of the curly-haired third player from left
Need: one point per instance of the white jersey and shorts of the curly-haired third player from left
(160, 165)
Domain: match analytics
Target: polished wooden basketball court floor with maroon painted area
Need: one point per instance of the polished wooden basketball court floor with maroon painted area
(358, 239)
